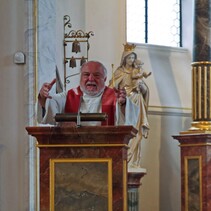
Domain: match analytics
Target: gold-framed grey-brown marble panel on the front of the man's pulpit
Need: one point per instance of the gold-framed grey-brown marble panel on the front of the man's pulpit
(85, 180)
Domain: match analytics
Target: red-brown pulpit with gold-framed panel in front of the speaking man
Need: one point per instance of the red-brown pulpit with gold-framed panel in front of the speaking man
(83, 168)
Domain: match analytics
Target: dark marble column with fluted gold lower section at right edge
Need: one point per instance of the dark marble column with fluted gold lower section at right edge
(201, 68)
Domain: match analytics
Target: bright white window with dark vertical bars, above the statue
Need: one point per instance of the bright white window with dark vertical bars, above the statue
(154, 22)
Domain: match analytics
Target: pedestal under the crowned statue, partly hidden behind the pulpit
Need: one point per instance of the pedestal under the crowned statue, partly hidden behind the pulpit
(134, 182)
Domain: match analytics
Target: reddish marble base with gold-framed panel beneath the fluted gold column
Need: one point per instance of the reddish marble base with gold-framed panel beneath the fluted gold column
(195, 171)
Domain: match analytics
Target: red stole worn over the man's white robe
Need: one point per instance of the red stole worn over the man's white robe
(108, 103)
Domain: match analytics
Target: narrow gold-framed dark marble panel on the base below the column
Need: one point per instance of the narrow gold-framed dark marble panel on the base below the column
(193, 182)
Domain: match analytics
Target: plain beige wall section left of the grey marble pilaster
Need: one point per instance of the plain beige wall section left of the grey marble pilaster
(13, 110)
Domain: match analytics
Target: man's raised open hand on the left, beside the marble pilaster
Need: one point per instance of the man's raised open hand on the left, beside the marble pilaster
(44, 92)
